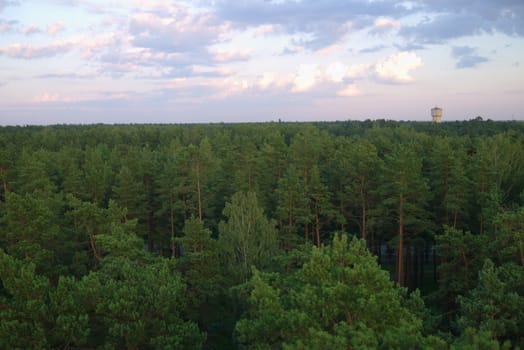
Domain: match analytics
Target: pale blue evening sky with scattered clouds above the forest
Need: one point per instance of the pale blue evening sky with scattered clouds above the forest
(156, 61)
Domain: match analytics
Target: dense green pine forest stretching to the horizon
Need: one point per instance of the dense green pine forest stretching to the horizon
(371, 234)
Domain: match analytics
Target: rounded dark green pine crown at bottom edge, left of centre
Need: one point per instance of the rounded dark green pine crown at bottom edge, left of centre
(136, 306)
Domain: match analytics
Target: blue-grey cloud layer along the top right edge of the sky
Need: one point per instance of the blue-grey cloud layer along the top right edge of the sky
(327, 20)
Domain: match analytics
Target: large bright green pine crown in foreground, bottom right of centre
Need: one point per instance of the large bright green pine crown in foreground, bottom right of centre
(340, 298)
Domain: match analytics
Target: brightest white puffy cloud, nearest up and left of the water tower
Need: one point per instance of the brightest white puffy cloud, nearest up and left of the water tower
(397, 68)
